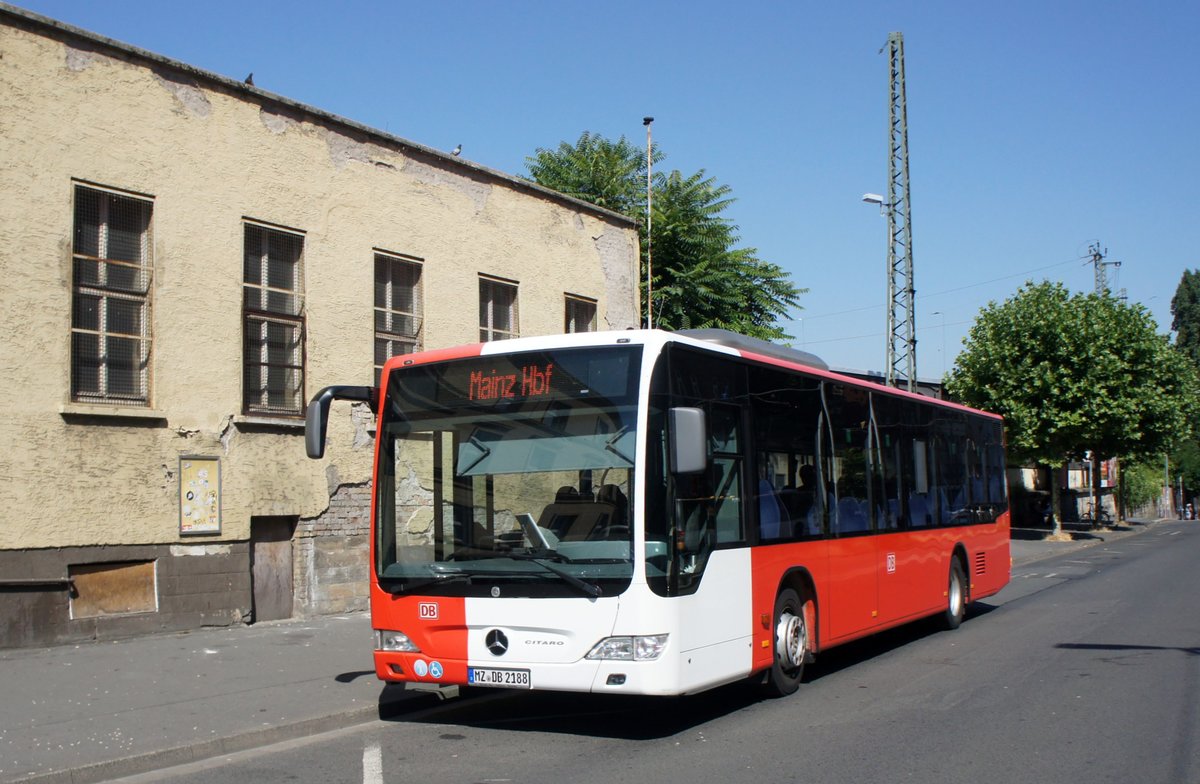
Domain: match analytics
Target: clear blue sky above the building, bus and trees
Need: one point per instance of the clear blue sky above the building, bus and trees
(1036, 129)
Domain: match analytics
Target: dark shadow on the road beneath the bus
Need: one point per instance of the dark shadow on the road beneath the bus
(622, 717)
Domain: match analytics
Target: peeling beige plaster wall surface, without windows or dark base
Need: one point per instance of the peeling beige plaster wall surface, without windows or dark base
(212, 154)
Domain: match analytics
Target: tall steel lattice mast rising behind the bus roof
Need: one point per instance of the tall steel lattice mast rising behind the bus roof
(902, 361)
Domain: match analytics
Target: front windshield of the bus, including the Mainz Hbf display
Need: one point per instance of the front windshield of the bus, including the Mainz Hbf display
(509, 474)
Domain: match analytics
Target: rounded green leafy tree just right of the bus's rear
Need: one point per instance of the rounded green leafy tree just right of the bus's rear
(1076, 374)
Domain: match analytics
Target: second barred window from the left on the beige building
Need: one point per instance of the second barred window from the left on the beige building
(273, 310)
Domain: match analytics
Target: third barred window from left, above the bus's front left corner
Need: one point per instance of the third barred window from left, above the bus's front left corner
(398, 309)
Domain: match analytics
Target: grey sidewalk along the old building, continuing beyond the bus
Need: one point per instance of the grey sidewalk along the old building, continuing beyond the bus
(99, 711)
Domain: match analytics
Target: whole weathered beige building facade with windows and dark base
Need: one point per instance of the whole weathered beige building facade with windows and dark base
(188, 259)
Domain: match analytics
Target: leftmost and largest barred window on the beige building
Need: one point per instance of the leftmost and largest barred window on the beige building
(111, 298)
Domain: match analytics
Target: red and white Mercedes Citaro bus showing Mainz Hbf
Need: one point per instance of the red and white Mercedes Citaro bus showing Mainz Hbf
(662, 513)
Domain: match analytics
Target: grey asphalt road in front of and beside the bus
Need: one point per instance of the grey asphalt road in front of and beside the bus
(1085, 669)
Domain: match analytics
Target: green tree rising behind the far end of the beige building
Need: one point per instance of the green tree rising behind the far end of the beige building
(701, 279)
